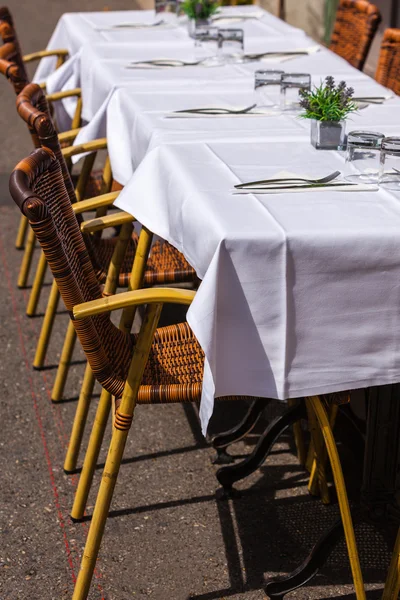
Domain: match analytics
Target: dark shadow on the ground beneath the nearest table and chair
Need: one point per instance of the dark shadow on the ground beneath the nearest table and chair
(268, 529)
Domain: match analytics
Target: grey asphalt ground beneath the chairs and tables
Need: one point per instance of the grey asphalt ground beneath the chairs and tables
(168, 537)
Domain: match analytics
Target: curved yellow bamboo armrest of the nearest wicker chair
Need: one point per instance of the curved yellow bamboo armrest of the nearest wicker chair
(133, 298)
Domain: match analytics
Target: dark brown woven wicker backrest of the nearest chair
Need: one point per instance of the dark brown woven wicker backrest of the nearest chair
(38, 188)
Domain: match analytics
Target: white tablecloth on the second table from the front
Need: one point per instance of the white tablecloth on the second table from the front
(137, 121)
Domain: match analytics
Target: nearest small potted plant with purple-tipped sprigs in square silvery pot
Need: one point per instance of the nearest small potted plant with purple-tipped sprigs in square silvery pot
(327, 106)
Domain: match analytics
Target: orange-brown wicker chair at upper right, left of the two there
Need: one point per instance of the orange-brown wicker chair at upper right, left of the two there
(355, 26)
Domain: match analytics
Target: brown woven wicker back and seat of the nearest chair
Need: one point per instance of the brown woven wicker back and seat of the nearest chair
(175, 367)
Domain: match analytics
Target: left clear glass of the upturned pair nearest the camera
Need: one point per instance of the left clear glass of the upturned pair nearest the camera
(363, 156)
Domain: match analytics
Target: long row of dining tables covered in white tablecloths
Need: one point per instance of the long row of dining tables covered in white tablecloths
(299, 291)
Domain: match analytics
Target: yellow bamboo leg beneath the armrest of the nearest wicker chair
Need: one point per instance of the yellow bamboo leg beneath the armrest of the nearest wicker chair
(121, 428)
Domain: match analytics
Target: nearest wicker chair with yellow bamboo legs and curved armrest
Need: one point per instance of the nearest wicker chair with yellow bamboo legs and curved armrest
(158, 365)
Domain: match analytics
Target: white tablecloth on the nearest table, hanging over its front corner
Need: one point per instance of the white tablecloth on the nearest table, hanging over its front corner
(300, 292)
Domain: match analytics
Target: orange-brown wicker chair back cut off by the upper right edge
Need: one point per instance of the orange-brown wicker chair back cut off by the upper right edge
(388, 71)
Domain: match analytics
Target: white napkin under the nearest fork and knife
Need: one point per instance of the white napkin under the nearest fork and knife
(360, 187)
